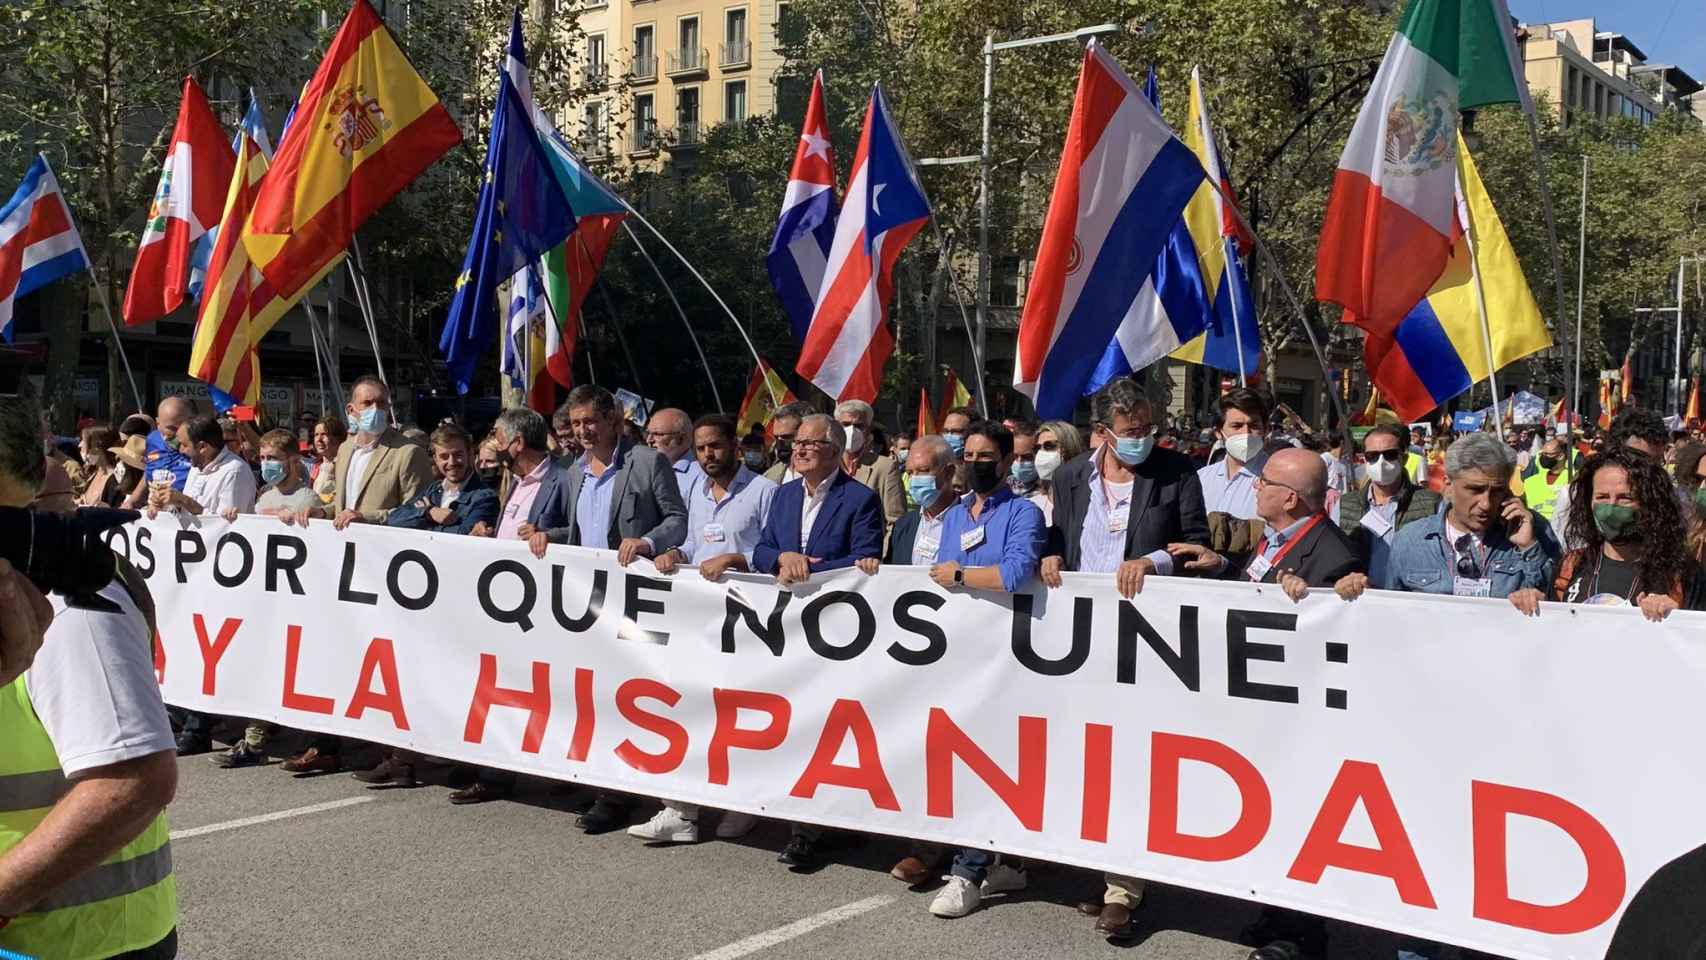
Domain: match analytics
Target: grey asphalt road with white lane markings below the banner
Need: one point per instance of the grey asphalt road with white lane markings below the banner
(272, 865)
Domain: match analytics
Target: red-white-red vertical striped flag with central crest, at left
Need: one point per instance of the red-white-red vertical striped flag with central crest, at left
(187, 205)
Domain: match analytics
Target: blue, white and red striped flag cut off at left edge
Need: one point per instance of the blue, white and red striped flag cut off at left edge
(38, 240)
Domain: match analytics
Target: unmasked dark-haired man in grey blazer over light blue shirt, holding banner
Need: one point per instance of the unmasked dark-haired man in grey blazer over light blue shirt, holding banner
(617, 495)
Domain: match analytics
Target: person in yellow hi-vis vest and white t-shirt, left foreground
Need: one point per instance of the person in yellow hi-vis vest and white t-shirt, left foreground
(86, 763)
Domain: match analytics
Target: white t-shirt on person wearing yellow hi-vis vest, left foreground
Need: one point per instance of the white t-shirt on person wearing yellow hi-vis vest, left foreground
(95, 690)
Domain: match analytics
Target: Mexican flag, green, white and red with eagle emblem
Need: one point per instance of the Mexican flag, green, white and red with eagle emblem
(1393, 216)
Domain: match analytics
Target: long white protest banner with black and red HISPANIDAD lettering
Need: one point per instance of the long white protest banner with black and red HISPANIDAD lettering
(1437, 766)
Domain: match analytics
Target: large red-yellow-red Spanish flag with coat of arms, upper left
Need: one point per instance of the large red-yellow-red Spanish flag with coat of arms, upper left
(366, 127)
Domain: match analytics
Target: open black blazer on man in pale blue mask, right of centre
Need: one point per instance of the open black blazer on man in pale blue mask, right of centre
(1166, 507)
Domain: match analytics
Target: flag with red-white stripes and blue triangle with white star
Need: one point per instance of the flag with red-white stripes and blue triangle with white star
(886, 207)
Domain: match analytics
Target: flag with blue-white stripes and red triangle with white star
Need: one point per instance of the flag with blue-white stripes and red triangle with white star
(808, 226)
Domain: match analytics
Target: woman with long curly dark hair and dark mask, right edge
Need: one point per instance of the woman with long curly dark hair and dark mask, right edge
(1627, 541)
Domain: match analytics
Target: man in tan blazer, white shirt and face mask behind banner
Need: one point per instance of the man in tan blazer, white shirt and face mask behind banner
(378, 468)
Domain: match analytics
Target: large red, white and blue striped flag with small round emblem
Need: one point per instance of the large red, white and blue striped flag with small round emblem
(1122, 187)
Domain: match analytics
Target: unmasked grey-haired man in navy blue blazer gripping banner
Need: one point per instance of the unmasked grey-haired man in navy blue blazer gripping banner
(823, 521)
